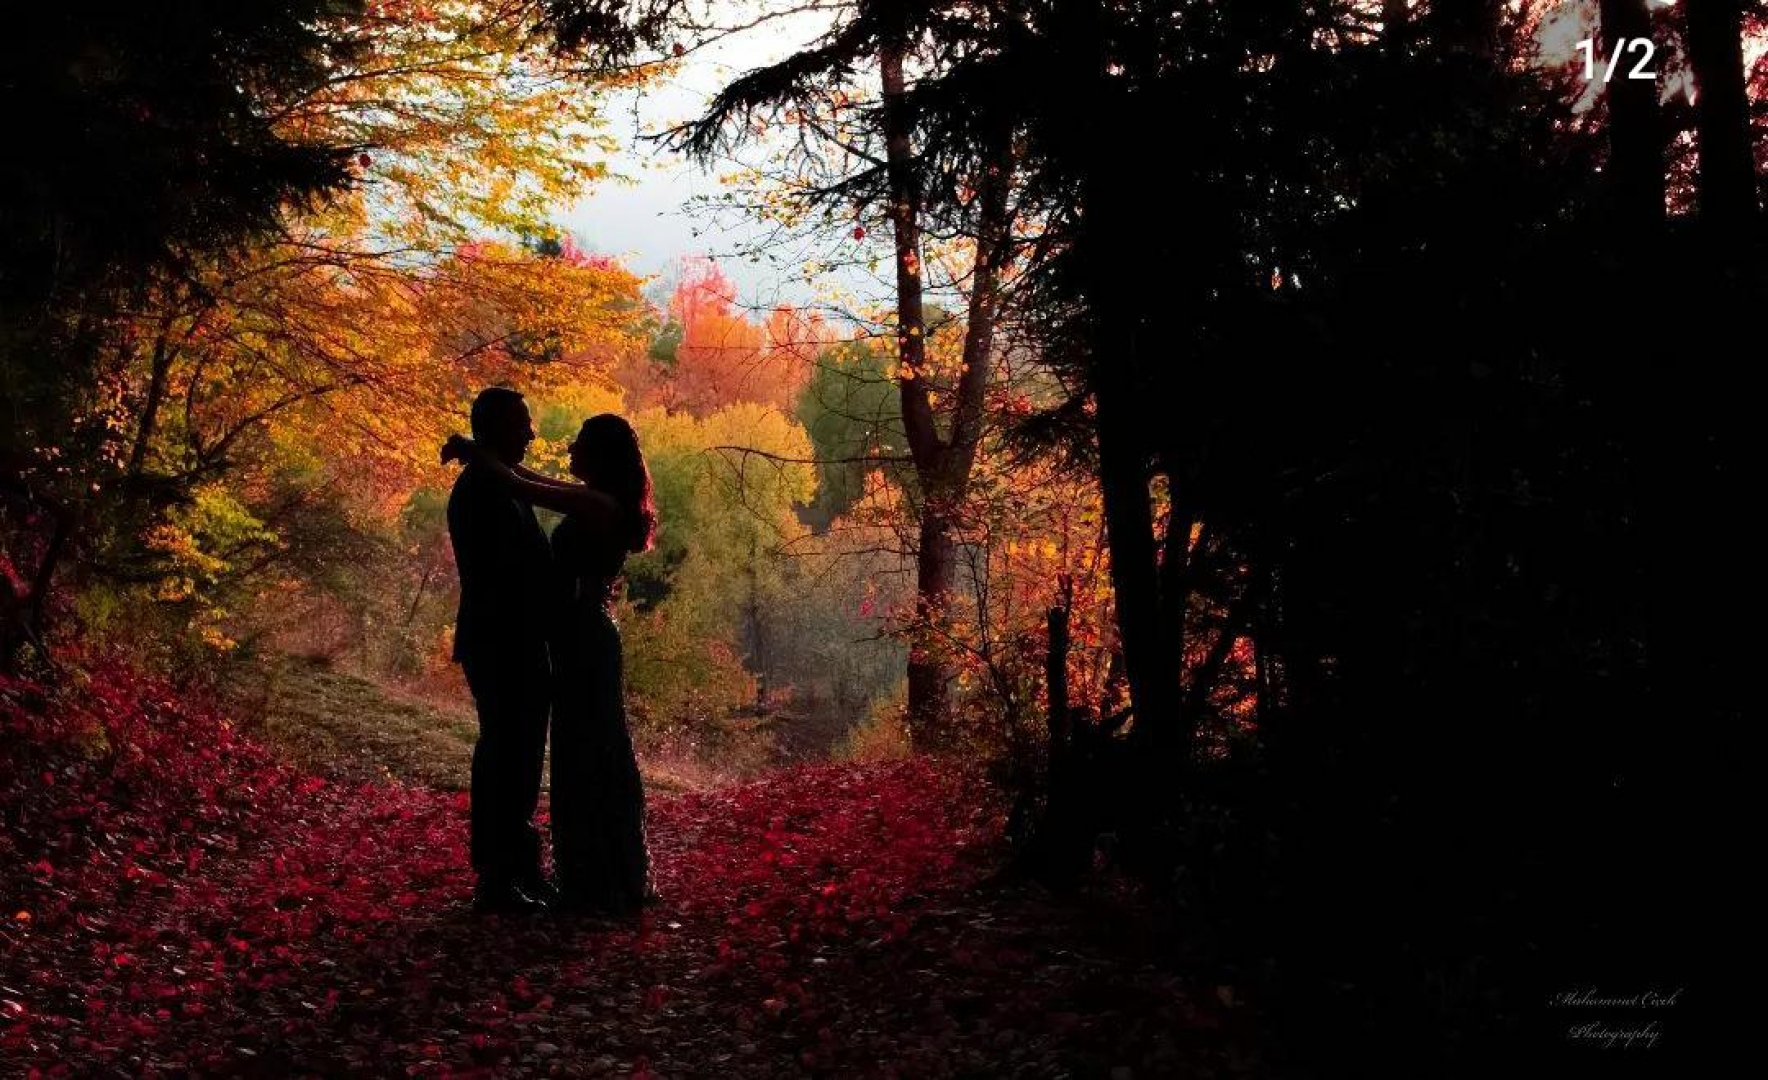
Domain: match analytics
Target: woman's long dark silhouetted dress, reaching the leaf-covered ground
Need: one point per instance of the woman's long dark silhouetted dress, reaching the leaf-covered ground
(598, 802)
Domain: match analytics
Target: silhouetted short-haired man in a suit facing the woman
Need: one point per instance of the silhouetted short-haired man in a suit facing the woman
(501, 646)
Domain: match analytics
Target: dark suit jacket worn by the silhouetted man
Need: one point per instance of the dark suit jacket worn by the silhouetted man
(505, 570)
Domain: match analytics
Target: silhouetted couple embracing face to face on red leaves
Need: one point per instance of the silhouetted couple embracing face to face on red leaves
(537, 637)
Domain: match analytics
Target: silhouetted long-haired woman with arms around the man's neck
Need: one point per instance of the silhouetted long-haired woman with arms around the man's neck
(597, 796)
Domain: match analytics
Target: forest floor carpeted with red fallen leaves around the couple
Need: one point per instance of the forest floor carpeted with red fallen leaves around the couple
(178, 901)
